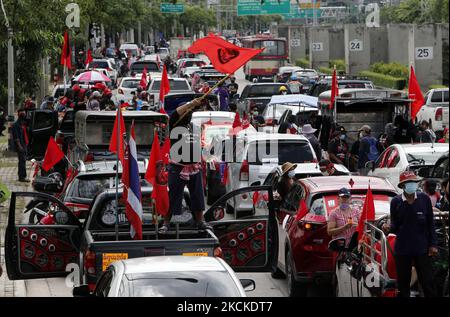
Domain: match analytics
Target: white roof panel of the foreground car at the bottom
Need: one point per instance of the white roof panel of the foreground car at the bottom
(172, 264)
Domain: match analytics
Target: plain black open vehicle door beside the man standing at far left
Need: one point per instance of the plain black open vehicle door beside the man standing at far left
(43, 126)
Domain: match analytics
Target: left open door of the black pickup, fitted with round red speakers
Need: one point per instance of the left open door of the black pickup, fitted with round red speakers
(40, 251)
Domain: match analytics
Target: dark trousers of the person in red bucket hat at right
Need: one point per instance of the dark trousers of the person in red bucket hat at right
(424, 273)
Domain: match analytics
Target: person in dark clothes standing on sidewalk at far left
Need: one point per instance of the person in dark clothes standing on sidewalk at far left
(20, 138)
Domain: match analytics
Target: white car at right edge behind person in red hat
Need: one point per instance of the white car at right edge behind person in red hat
(401, 157)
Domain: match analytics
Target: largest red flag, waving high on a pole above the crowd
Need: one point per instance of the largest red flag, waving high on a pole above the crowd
(225, 57)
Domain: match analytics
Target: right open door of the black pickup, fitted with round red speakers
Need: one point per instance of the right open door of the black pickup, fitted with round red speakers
(248, 240)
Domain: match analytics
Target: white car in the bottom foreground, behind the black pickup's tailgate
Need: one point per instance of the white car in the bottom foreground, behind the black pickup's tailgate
(169, 276)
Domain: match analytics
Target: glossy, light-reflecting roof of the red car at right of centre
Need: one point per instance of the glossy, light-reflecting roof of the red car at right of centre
(334, 183)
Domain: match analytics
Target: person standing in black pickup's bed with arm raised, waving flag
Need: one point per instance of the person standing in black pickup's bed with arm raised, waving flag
(184, 170)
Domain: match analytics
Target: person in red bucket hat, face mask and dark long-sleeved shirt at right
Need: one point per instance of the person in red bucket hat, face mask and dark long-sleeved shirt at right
(412, 220)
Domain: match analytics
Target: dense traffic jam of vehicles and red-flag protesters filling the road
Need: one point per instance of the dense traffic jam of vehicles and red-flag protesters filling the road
(203, 160)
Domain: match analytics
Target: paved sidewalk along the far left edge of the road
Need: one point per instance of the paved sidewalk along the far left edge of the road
(8, 176)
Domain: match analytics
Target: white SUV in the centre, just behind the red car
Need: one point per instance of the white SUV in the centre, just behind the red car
(256, 155)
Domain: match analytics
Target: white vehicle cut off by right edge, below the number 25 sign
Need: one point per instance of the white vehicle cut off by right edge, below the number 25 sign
(435, 110)
